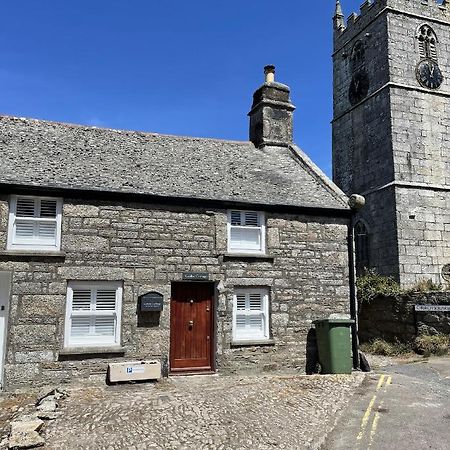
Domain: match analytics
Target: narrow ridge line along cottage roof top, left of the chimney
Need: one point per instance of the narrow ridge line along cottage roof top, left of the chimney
(121, 130)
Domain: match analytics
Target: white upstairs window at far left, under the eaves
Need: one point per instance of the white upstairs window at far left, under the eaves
(34, 223)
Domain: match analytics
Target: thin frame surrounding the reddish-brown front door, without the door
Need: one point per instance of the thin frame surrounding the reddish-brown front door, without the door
(213, 346)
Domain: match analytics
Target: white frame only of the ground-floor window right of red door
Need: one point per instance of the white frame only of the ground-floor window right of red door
(239, 336)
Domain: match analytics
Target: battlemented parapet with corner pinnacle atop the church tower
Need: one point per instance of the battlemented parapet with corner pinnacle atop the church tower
(345, 30)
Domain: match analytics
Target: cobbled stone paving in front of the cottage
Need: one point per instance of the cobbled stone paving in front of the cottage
(203, 412)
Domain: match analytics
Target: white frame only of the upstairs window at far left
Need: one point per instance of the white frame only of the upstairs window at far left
(14, 244)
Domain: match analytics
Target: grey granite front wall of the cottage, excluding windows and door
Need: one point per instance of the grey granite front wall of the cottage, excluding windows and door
(149, 246)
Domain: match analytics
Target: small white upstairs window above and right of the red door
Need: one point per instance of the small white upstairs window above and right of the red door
(246, 232)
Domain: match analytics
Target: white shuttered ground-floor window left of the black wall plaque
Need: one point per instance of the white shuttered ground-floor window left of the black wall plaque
(93, 314)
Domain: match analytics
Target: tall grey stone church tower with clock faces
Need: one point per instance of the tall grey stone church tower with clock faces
(391, 133)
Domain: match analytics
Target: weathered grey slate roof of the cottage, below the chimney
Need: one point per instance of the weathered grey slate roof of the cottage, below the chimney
(48, 154)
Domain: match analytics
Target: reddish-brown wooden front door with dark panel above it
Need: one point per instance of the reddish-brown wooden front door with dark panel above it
(191, 327)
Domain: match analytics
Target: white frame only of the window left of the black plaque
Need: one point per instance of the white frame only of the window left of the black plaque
(95, 342)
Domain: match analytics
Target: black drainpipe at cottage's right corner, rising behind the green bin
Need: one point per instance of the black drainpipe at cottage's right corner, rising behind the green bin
(356, 202)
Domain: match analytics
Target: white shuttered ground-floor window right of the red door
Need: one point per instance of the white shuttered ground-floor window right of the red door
(250, 314)
